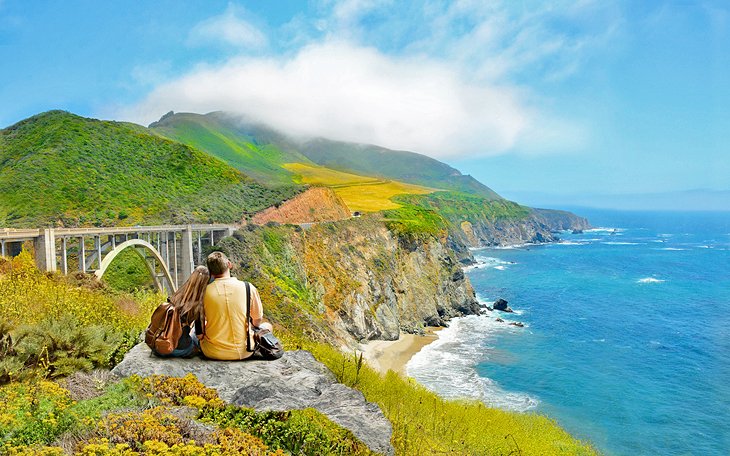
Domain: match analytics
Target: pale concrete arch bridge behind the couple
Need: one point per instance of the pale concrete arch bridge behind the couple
(169, 251)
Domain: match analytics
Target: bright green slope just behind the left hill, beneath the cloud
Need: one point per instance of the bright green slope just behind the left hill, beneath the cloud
(256, 154)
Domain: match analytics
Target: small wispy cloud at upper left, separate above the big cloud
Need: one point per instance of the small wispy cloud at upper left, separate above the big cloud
(229, 28)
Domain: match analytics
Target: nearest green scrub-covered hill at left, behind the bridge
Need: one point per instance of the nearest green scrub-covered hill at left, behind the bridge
(61, 169)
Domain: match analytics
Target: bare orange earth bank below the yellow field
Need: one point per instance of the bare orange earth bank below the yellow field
(317, 204)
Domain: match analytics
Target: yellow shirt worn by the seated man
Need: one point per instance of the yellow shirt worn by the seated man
(226, 327)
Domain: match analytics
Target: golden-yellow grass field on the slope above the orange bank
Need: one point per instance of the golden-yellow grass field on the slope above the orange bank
(360, 193)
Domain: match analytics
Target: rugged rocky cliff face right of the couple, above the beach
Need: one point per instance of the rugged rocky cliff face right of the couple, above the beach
(352, 279)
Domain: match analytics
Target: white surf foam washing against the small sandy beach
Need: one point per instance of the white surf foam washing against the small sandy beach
(448, 365)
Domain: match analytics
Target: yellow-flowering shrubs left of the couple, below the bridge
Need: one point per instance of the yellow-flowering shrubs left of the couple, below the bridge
(53, 326)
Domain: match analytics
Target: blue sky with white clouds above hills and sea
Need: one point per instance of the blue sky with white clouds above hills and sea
(533, 98)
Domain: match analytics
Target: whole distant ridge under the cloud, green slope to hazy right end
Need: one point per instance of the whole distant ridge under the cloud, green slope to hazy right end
(260, 152)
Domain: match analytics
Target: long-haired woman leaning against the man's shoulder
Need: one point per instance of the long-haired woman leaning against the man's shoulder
(188, 300)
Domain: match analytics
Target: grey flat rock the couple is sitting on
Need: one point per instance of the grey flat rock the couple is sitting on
(296, 381)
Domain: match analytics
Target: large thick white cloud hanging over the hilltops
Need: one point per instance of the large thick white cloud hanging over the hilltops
(352, 93)
